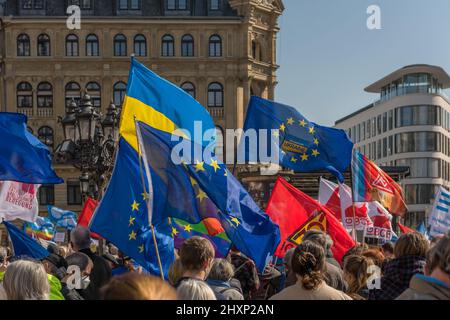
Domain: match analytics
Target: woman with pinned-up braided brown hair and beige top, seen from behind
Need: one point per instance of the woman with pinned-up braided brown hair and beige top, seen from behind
(308, 263)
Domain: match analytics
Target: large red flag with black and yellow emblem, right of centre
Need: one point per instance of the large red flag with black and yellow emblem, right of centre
(290, 209)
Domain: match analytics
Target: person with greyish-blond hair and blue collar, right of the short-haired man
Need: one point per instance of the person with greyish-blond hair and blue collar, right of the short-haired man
(219, 279)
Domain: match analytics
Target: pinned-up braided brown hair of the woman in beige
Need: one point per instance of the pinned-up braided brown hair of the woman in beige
(308, 262)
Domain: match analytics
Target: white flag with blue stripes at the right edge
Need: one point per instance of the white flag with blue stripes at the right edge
(439, 219)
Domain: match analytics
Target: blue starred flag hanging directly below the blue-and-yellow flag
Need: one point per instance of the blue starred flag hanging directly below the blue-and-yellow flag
(122, 215)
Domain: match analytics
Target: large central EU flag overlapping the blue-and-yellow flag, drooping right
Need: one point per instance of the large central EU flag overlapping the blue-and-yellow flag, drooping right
(173, 176)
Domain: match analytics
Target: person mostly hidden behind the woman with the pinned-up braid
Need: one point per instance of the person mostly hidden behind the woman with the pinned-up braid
(333, 275)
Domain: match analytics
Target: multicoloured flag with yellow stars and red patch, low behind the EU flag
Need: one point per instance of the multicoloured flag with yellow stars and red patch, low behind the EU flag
(183, 230)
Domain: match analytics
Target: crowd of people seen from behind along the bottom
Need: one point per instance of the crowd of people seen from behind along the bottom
(411, 269)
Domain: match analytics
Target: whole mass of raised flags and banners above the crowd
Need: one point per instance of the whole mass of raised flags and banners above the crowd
(153, 202)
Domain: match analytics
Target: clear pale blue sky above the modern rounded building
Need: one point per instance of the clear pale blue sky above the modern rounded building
(327, 55)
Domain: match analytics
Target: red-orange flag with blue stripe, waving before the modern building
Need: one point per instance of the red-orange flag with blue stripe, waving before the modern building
(370, 183)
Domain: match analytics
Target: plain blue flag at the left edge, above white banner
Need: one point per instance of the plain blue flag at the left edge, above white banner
(23, 158)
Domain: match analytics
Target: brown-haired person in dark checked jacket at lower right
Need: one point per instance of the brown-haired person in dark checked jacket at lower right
(410, 258)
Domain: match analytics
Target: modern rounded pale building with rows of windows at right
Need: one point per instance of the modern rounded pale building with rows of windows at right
(408, 126)
